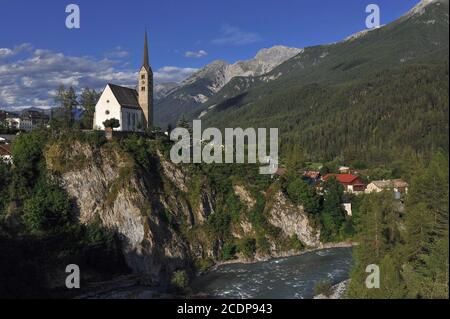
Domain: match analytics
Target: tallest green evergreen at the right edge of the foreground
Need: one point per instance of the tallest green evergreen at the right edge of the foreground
(426, 247)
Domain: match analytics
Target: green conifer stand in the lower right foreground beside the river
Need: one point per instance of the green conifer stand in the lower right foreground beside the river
(409, 243)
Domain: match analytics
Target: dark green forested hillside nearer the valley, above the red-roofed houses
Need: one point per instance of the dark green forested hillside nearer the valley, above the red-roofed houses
(374, 121)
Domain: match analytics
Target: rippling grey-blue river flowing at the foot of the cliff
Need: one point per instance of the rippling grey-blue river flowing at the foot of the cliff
(285, 278)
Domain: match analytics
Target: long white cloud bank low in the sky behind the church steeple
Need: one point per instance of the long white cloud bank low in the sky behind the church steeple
(31, 78)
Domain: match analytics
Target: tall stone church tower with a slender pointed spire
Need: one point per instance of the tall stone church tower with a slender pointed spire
(145, 87)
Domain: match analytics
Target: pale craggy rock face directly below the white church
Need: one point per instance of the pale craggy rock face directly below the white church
(131, 202)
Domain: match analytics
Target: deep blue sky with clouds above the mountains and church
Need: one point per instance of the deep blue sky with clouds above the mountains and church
(184, 35)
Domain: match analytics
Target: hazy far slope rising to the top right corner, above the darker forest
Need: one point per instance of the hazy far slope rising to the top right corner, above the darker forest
(421, 36)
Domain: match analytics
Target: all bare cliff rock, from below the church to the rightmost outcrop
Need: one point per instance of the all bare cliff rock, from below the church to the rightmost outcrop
(150, 208)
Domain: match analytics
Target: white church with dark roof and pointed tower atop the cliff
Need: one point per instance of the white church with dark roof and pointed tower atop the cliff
(132, 107)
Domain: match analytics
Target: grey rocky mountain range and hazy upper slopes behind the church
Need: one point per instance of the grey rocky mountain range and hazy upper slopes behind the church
(420, 36)
